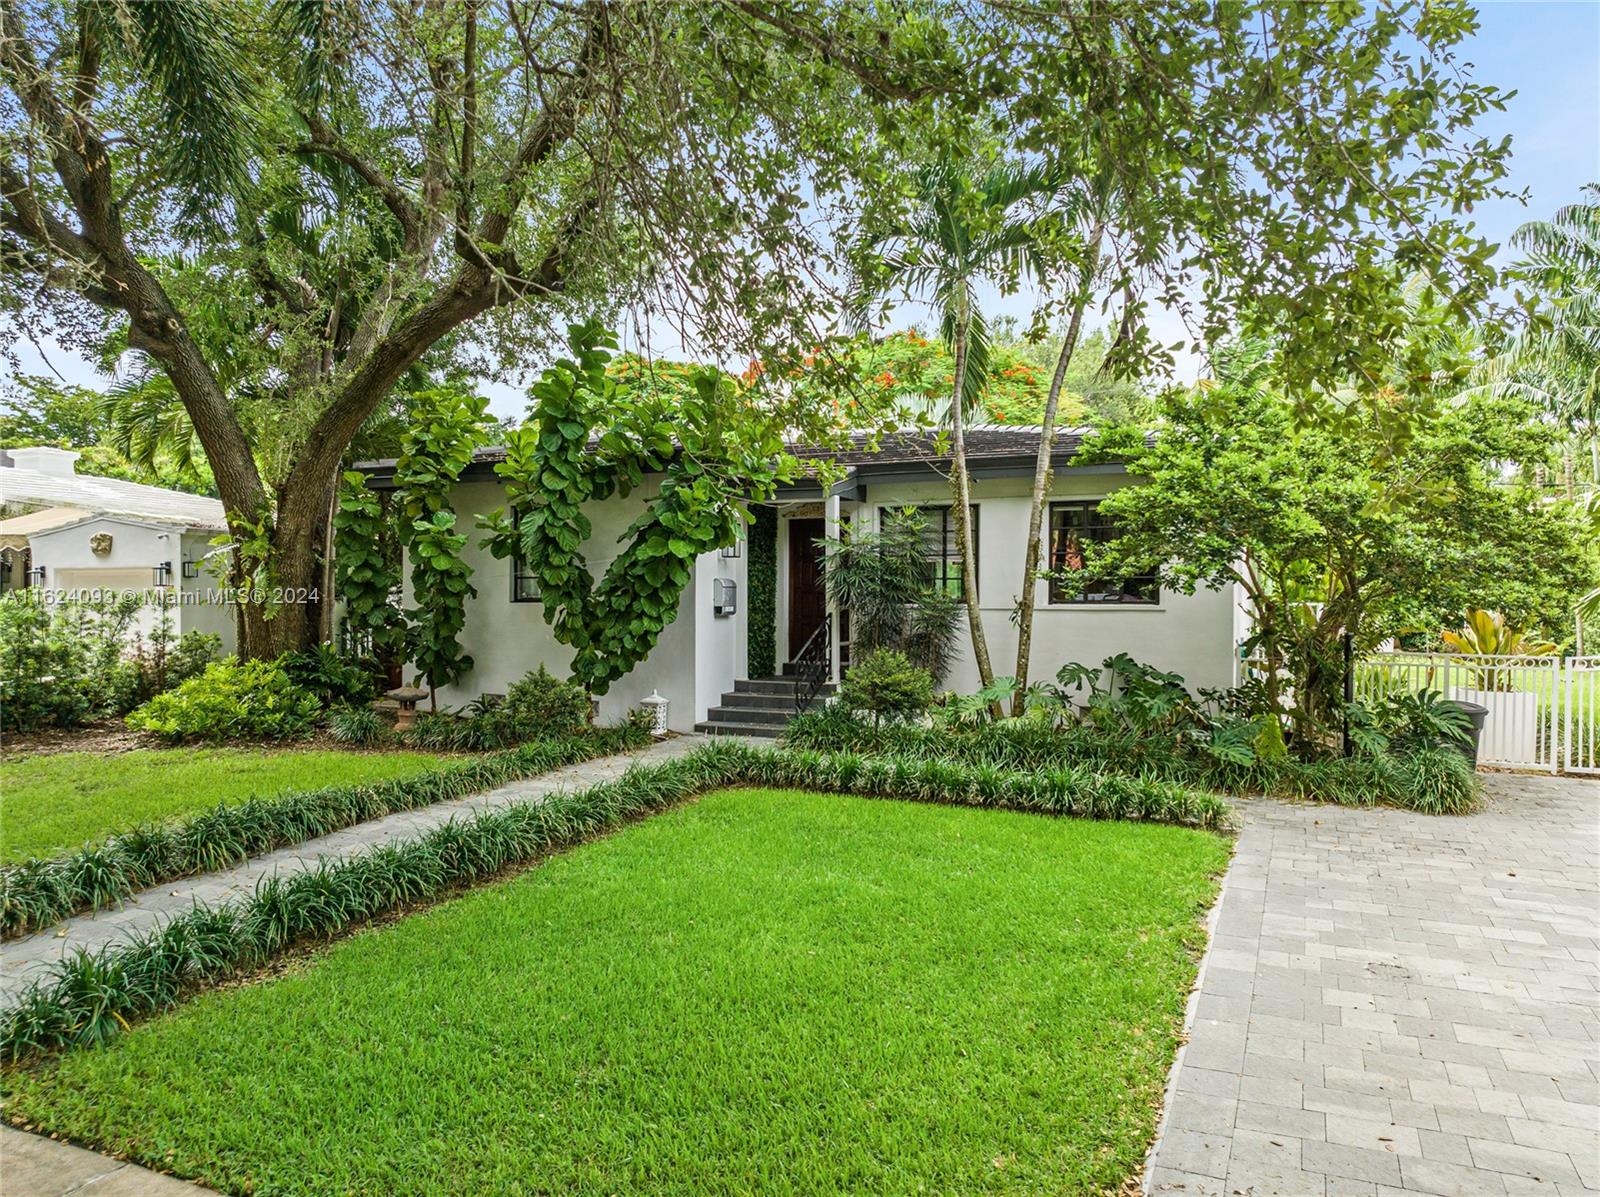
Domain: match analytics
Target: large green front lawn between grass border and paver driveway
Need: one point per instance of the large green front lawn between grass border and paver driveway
(756, 993)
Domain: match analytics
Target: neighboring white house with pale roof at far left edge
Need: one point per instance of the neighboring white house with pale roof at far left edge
(84, 535)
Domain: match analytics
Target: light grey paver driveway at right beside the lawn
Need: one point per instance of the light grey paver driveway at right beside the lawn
(1398, 1004)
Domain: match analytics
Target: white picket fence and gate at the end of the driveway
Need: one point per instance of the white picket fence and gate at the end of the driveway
(1545, 711)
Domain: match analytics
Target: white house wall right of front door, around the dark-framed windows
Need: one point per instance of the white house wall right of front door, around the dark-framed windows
(1186, 635)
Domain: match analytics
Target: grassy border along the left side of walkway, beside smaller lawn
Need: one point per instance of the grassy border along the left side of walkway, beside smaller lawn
(44, 891)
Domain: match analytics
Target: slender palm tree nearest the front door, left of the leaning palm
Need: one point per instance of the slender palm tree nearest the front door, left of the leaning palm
(961, 233)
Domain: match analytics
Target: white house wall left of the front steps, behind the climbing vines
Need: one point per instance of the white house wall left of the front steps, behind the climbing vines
(695, 660)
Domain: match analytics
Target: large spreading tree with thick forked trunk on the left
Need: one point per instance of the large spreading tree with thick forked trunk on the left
(290, 204)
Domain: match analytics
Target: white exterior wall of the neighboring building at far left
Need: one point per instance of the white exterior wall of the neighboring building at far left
(135, 553)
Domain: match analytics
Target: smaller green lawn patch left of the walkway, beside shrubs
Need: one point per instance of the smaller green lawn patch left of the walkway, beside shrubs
(58, 803)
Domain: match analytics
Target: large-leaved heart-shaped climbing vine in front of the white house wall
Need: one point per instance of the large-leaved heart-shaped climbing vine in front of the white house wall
(591, 438)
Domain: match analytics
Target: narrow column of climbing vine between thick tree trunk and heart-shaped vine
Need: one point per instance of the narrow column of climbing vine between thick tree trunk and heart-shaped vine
(446, 428)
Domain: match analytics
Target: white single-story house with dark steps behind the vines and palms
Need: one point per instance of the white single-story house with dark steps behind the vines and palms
(700, 663)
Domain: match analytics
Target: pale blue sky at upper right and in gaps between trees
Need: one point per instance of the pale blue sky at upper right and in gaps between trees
(1548, 52)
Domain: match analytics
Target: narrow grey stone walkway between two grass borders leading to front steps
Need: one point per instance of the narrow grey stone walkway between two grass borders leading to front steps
(25, 959)
